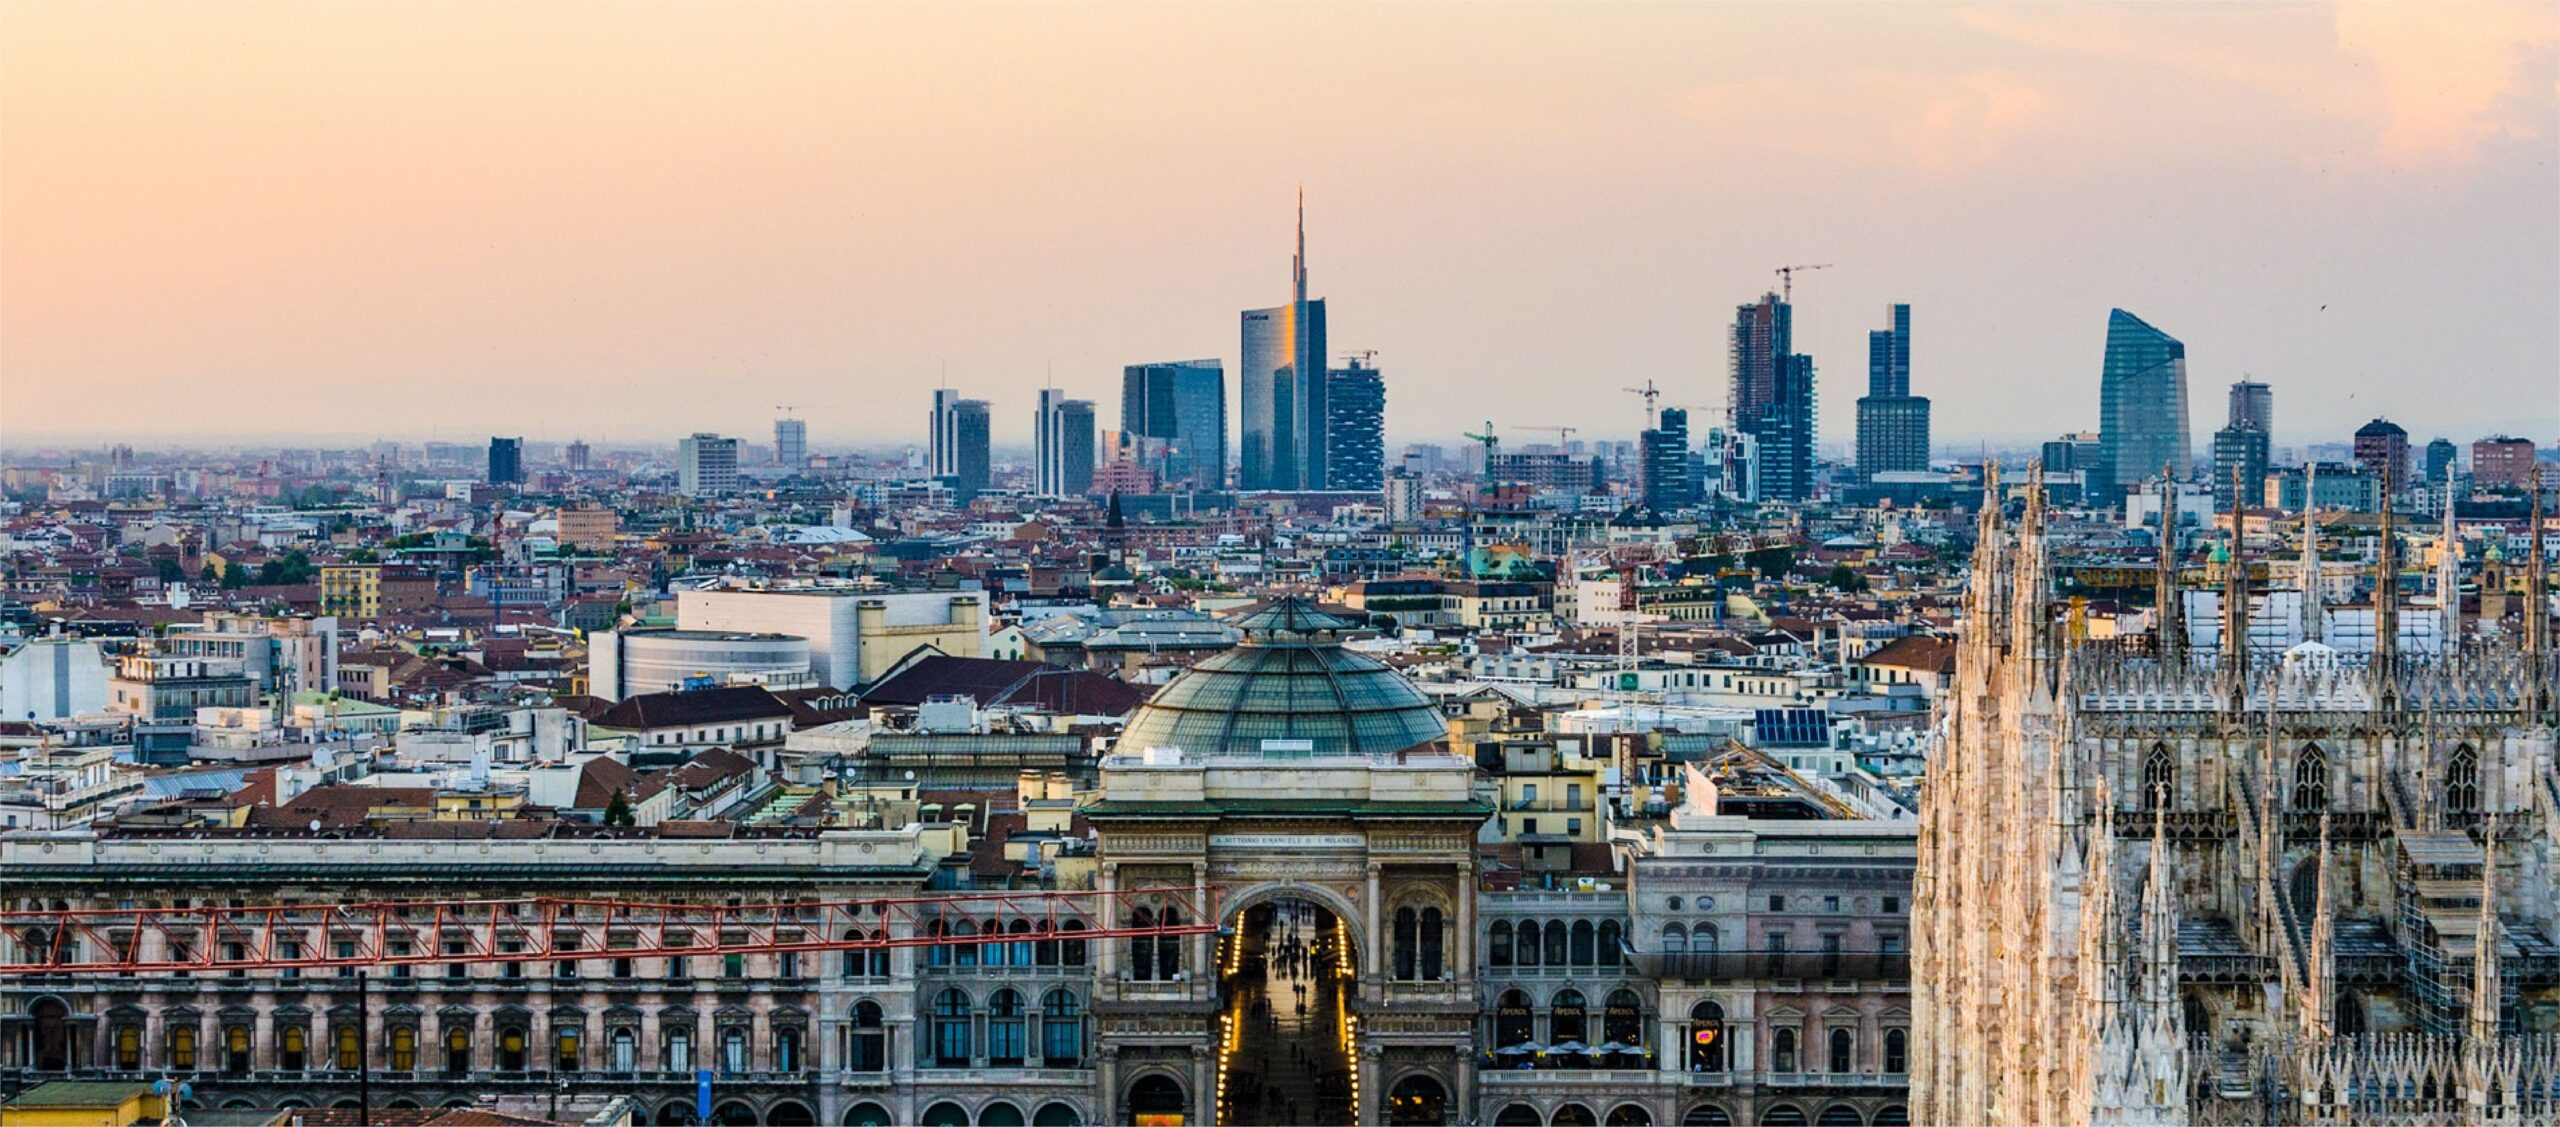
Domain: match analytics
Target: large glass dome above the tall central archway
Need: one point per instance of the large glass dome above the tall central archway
(1289, 680)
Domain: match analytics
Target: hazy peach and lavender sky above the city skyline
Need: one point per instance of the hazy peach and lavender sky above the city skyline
(634, 222)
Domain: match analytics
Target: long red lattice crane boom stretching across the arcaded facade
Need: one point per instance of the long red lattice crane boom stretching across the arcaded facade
(544, 928)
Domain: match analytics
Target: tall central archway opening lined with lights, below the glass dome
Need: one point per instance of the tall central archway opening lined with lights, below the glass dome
(1284, 980)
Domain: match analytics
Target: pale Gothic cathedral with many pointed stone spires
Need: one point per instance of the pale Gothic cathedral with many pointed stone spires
(2264, 880)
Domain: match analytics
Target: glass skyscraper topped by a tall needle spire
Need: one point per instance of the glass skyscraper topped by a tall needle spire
(1286, 388)
